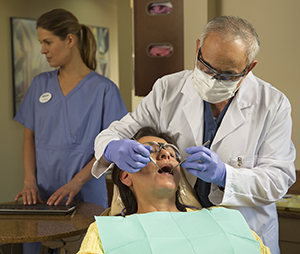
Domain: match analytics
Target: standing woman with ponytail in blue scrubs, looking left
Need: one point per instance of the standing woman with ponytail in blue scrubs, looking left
(62, 112)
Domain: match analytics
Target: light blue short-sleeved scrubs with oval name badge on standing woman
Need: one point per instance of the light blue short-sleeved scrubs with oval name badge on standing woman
(65, 128)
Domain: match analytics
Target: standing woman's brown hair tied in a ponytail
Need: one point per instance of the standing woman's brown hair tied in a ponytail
(61, 23)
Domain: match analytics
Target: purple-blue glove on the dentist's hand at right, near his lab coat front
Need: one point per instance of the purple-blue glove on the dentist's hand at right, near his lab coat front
(211, 169)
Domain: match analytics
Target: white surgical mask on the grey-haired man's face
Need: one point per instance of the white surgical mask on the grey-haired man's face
(212, 90)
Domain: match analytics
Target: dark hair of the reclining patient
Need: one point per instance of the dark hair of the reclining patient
(126, 194)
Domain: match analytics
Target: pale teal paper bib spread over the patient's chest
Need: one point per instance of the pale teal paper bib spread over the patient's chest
(216, 230)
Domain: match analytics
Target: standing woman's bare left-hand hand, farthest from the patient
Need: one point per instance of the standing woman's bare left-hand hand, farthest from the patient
(30, 194)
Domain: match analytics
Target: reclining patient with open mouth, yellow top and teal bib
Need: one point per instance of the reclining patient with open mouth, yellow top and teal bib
(156, 218)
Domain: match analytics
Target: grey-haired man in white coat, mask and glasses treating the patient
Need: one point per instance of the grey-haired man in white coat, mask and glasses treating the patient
(250, 163)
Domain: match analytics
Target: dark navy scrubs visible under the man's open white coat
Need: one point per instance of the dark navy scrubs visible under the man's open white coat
(211, 126)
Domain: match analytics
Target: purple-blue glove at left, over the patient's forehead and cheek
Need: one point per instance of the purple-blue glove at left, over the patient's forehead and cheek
(127, 154)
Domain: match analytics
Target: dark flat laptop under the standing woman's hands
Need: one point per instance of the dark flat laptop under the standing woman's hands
(17, 208)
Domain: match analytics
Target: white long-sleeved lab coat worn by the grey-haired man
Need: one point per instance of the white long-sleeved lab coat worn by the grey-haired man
(253, 140)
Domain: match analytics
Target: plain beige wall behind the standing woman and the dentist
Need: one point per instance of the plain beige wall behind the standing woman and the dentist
(276, 22)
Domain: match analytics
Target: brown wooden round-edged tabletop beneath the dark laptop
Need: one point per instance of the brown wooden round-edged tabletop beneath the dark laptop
(38, 228)
